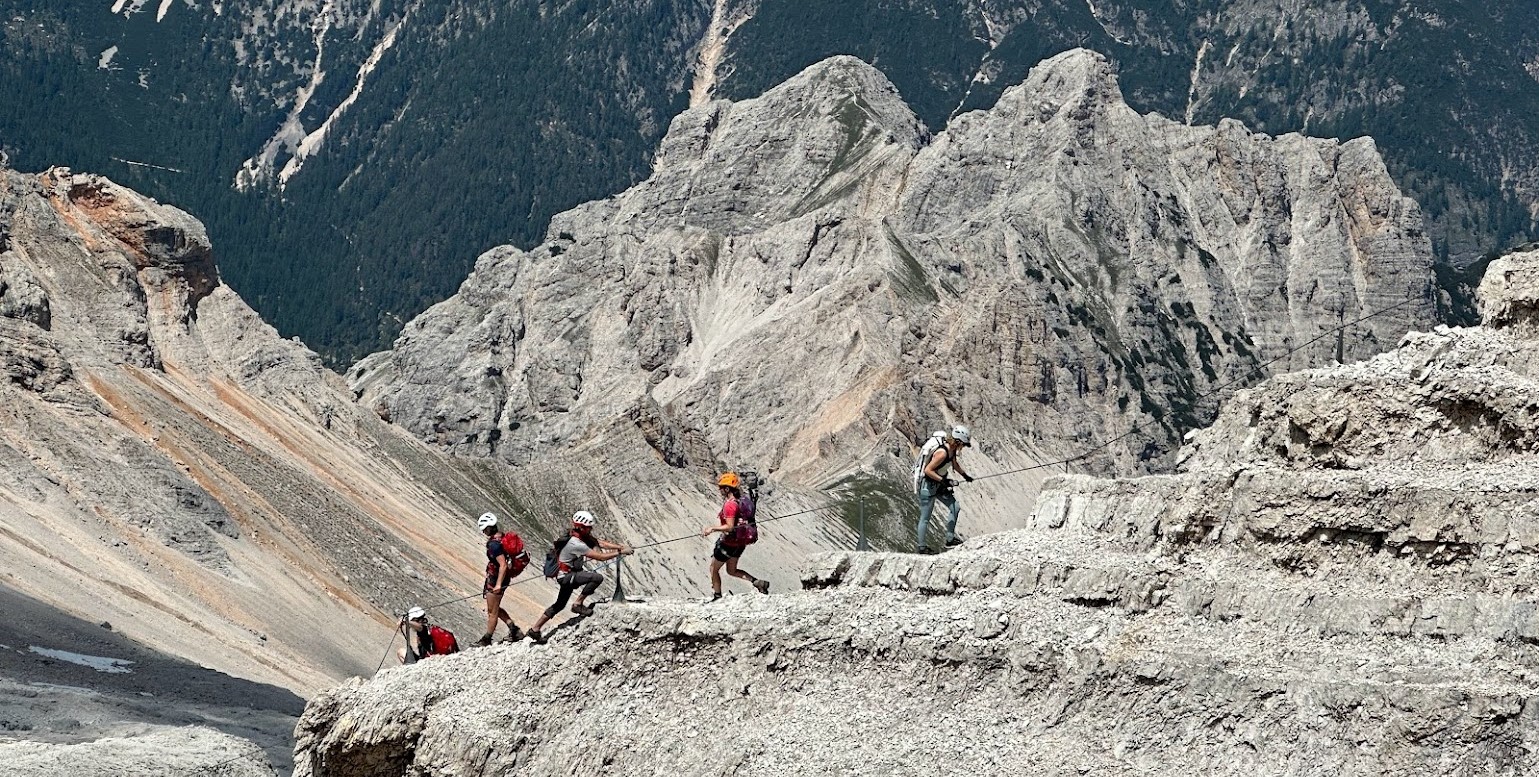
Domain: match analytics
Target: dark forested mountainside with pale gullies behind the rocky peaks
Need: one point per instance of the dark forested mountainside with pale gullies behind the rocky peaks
(413, 110)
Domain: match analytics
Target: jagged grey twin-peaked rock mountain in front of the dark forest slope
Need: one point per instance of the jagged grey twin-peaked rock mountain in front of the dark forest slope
(809, 281)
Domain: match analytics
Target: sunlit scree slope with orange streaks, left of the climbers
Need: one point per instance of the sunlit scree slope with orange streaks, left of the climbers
(173, 465)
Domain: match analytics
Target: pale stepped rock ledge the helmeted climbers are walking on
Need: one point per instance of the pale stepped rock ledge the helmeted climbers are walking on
(1338, 581)
